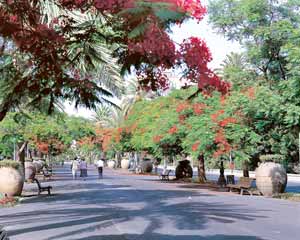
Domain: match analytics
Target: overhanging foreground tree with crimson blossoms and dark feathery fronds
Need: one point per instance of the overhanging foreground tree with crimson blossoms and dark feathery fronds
(55, 48)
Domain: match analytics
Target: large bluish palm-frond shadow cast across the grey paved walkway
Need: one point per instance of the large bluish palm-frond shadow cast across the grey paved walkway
(90, 208)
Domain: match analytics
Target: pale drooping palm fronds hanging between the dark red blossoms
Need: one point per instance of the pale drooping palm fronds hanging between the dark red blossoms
(92, 55)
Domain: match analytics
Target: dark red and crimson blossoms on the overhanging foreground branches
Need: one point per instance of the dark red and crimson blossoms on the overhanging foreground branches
(151, 52)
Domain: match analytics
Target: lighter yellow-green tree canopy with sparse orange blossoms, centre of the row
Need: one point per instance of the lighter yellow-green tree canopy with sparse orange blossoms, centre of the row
(155, 126)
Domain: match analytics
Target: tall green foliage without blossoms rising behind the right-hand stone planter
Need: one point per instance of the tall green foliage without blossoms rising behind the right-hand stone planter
(269, 33)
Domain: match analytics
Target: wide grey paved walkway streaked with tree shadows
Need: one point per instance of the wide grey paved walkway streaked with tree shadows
(130, 207)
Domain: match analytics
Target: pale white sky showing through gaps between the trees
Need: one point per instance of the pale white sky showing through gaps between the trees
(218, 45)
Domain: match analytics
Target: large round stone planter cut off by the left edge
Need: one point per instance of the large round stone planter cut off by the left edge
(11, 181)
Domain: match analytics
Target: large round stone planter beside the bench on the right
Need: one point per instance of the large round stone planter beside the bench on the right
(271, 178)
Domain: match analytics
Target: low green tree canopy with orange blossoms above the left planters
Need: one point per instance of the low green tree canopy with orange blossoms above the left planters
(56, 131)
